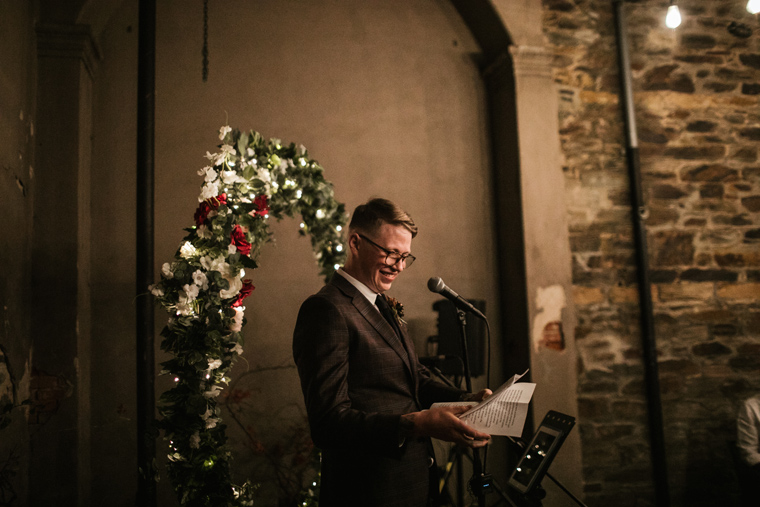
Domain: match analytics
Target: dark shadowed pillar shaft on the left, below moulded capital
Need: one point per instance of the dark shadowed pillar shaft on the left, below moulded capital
(60, 389)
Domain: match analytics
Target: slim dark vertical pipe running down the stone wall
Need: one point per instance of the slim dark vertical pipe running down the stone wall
(649, 346)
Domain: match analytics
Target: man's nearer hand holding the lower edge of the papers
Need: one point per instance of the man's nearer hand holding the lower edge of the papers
(442, 423)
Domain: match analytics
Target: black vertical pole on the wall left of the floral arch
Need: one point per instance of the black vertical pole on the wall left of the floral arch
(146, 73)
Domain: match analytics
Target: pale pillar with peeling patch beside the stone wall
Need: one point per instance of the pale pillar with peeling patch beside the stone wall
(548, 265)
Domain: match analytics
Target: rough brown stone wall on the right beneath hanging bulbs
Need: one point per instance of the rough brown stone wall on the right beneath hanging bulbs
(696, 104)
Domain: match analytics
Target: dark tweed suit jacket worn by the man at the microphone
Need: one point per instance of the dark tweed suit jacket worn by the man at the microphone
(357, 378)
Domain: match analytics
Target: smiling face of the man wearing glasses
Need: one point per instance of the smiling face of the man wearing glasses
(369, 266)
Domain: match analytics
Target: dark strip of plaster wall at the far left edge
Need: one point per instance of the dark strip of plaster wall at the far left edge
(17, 104)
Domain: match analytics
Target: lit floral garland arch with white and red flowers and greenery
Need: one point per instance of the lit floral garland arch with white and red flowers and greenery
(203, 289)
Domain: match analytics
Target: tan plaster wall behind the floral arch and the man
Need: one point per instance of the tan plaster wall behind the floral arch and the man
(386, 96)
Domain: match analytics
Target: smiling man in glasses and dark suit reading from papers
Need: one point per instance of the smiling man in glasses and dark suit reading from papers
(366, 394)
